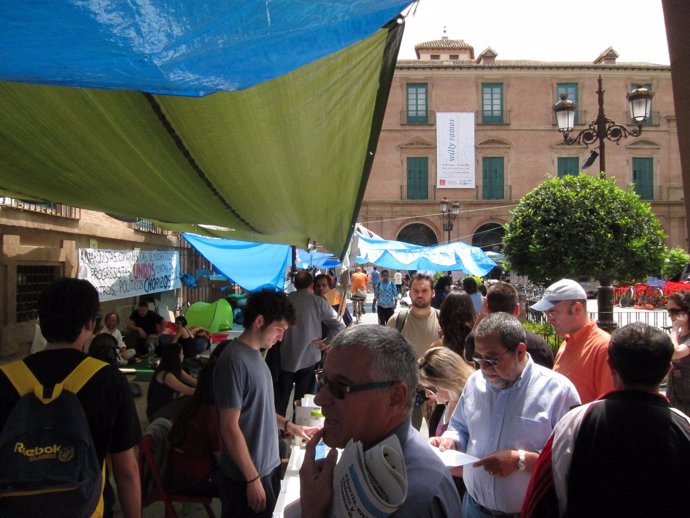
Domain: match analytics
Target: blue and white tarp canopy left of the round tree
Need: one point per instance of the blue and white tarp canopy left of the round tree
(398, 255)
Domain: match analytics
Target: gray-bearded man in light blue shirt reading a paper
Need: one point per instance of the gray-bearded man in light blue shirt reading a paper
(506, 413)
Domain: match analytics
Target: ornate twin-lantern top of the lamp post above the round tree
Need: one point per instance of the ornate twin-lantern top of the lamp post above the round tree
(603, 129)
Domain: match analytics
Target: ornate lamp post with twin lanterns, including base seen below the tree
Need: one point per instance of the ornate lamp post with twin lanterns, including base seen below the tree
(601, 130)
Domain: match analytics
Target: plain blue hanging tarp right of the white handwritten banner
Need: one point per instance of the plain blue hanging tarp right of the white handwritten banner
(253, 266)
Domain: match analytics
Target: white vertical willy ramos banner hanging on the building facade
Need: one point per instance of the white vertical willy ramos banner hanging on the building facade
(455, 150)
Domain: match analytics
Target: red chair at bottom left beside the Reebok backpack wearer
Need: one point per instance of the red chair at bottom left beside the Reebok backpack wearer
(149, 471)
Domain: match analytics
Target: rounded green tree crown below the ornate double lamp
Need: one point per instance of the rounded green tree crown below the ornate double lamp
(578, 225)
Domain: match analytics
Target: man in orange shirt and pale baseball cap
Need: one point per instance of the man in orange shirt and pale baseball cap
(582, 357)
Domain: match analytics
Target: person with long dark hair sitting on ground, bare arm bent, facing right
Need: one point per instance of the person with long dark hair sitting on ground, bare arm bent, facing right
(169, 382)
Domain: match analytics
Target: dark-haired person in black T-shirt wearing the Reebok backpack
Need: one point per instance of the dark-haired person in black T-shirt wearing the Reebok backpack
(62, 440)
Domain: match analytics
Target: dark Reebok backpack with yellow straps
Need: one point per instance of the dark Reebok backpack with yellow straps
(48, 462)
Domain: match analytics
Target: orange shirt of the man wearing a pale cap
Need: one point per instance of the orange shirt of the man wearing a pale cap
(582, 359)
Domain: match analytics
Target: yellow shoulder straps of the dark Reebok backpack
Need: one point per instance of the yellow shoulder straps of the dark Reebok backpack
(25, 382)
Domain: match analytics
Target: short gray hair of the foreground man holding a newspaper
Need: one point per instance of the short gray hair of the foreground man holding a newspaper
(393, 358)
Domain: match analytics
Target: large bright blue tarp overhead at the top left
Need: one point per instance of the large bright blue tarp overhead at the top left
(183, 47)
